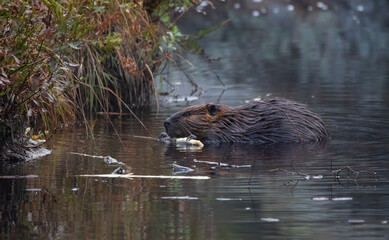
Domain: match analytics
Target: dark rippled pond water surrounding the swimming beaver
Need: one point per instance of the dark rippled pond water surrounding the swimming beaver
(333, 56)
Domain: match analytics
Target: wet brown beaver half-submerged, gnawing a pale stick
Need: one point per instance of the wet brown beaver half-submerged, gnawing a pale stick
(270, 120)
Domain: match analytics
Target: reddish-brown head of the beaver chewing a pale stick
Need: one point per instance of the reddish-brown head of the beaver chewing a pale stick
(196, 120)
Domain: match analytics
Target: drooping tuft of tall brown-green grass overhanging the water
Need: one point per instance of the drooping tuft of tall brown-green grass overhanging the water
(125, 43)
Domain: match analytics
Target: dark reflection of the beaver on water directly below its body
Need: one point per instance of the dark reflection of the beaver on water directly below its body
(265, 157)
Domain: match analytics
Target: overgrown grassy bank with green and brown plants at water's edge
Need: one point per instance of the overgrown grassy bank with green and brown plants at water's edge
(62, 59)
